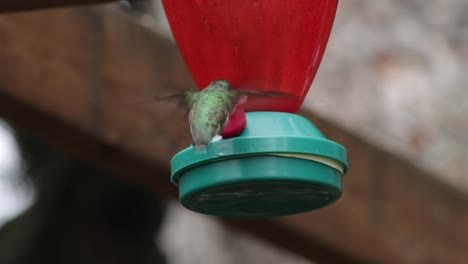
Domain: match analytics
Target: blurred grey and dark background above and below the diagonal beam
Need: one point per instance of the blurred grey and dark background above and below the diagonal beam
(394, 73)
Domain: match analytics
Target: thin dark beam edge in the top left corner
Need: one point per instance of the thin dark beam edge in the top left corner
(7, 6)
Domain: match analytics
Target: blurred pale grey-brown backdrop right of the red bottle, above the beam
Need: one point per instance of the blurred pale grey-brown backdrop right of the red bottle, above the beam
(395, 73)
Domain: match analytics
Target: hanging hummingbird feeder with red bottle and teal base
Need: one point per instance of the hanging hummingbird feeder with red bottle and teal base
(280, 164)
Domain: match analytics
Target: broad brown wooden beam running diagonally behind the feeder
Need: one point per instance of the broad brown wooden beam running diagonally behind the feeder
(67, 76)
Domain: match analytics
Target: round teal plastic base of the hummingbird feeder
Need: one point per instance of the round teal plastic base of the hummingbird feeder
(280, 165)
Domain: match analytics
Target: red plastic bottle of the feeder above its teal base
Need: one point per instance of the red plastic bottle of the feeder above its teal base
(260, 45)
